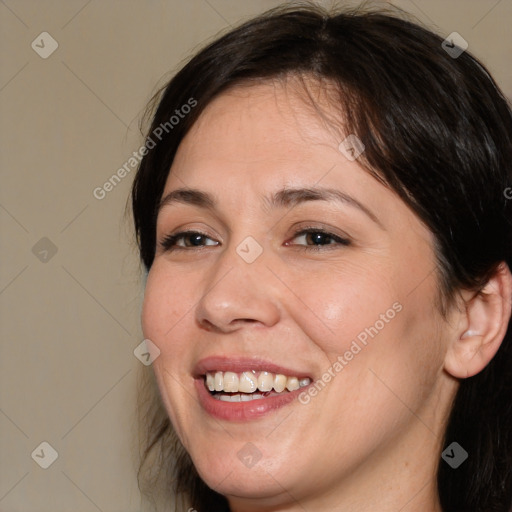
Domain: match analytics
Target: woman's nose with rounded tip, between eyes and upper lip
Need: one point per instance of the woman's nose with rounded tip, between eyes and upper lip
(237, 293)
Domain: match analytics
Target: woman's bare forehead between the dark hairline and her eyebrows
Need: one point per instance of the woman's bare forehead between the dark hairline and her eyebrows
(260, 138)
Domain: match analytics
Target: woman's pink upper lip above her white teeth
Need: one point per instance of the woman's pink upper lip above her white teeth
(239, 364)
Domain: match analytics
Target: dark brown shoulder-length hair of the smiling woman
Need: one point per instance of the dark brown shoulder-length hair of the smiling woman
(436, 129)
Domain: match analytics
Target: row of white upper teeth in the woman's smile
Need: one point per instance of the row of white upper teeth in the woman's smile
(250, 381)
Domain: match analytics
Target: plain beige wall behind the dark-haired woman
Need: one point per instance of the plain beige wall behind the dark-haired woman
(70, 320)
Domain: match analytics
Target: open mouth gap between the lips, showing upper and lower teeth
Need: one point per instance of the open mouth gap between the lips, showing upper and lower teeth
(251, 385)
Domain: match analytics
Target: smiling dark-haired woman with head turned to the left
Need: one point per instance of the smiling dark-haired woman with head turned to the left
(322, 217)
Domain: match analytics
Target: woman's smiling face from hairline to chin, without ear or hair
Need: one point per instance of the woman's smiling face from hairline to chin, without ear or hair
(345, 310)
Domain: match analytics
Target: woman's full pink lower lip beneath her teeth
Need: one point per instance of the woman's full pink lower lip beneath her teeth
(242, 411)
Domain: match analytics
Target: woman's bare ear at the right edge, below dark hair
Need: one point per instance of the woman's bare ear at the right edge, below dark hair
(482, 326)
